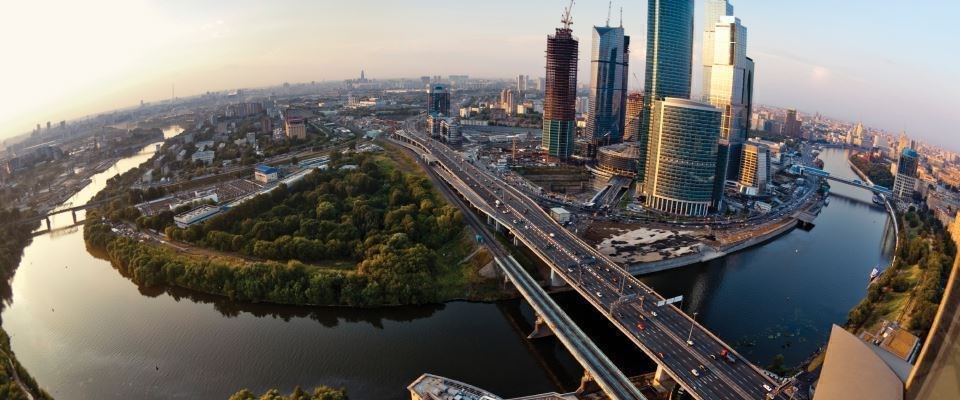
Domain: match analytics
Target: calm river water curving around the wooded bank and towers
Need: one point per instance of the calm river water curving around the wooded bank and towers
(84, 331)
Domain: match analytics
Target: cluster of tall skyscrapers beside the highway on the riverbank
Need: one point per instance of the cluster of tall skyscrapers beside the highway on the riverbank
(686, 149)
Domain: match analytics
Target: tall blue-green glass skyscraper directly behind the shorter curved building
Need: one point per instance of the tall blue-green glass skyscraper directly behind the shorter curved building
(669, 57)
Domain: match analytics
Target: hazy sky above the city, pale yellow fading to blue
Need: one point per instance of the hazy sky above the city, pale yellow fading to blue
(893, 64)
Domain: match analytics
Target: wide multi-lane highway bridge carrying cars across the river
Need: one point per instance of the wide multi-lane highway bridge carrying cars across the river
(676, 342)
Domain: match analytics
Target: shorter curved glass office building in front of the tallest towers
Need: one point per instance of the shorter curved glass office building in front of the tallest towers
(682, 157)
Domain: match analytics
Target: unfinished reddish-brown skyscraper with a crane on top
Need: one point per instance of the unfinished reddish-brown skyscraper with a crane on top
(560, 96)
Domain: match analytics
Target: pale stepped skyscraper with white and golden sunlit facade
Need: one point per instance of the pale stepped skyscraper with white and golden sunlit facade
(730, 80)
